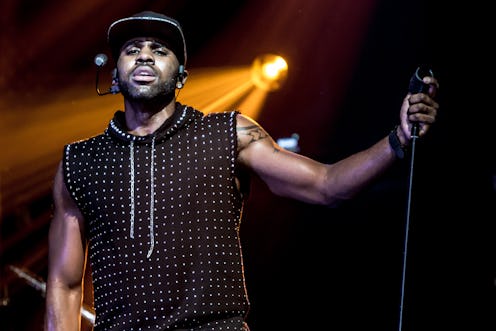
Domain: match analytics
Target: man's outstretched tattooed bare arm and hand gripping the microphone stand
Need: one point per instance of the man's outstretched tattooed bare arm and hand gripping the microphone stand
(295, 176)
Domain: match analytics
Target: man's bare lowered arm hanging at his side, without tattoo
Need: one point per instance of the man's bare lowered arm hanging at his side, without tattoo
(66, 261)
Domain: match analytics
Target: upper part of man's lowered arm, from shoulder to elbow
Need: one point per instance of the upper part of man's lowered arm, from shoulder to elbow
(66, 237)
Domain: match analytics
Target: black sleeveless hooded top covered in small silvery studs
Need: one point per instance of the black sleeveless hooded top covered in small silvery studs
(162, 216)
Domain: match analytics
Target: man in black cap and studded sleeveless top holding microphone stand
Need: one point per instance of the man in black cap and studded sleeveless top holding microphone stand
(158, 197)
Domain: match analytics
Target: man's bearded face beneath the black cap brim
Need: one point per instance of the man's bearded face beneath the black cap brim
(147, 69)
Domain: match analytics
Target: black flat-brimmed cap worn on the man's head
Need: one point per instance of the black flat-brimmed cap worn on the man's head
(148, 24)
